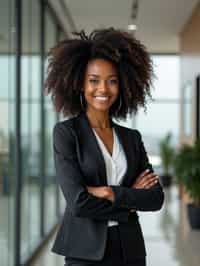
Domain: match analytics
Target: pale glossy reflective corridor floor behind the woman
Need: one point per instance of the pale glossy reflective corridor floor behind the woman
(169, 239)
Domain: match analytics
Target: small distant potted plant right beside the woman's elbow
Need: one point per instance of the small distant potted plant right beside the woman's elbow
(167, 155)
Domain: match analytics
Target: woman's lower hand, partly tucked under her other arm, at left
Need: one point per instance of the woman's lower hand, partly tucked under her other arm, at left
(104, 192)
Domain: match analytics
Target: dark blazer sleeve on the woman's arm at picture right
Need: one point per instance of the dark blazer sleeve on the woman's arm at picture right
(140, 199)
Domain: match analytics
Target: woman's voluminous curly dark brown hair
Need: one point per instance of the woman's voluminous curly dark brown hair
(69, 58)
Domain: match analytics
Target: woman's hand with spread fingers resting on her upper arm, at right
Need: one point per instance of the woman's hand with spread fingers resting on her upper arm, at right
(145, 180)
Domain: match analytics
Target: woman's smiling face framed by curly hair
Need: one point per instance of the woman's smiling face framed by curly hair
(101, 85)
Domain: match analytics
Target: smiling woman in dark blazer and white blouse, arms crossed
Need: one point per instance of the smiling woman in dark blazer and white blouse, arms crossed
(102, 168)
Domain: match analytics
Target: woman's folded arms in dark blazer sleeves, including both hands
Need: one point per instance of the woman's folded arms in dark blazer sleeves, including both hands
(100, 203)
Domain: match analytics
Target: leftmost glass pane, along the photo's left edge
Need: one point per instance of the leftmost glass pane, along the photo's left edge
(7, 130)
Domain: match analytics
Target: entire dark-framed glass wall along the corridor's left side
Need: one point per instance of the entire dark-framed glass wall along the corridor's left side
(40, 198)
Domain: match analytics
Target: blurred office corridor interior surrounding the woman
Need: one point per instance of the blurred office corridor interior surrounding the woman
(31, 202)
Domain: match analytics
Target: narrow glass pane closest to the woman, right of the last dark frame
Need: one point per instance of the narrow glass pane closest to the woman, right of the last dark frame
(50, 120)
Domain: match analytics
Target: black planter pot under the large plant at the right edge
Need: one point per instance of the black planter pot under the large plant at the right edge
(193, 216)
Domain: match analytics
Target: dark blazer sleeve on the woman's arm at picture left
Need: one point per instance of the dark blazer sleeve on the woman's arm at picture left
(71, 180)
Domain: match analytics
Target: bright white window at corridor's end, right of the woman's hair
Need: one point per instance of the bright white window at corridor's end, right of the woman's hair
(163, 113)
